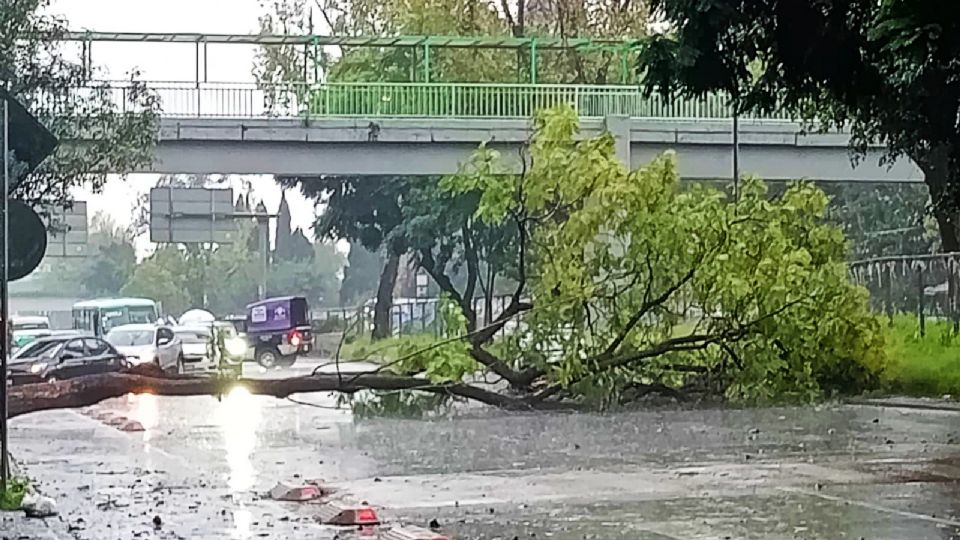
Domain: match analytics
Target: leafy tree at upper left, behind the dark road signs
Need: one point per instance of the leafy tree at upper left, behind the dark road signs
(34, 69)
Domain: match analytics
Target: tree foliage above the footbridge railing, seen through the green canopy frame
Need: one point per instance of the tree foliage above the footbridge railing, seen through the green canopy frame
(561, 18)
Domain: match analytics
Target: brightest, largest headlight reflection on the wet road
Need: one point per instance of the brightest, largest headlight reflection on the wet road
(238, 416)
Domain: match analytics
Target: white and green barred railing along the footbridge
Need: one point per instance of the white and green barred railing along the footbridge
(423, 100)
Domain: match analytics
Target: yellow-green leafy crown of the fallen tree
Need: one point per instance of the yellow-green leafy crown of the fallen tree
(625, 257)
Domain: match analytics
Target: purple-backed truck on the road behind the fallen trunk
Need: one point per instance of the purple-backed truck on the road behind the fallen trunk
(279, 330)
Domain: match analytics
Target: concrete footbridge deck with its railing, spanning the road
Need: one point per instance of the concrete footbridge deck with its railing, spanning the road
(431, 128)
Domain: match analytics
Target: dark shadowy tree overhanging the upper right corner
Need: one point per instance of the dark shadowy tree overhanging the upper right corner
(891, 79)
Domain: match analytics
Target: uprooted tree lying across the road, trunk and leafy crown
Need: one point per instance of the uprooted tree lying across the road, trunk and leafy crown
(624, 280)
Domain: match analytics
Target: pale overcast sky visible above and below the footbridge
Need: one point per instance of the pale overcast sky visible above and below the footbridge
(170, 62)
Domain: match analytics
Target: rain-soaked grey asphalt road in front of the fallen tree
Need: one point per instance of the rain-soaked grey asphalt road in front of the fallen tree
(792, 473)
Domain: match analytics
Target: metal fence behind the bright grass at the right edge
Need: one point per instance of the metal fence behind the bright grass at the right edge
(925, 285)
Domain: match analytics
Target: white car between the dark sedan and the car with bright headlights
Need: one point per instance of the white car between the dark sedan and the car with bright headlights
(148, 343)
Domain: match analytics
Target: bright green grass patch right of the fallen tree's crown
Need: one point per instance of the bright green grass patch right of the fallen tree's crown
(922, 366)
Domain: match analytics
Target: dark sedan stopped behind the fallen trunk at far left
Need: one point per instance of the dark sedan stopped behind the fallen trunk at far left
(57, 358)
